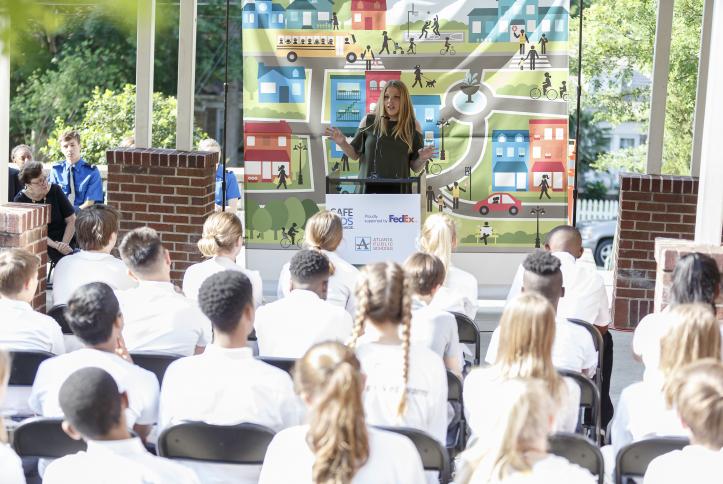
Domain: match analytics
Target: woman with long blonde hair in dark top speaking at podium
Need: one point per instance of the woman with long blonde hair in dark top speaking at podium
(388, 142)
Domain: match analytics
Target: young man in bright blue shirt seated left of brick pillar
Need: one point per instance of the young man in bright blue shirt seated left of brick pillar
(80, 181)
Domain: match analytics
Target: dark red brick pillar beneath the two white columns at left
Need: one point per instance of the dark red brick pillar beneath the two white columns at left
(170, 191)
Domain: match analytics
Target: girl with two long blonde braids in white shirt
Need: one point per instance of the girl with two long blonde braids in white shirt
(406, 383)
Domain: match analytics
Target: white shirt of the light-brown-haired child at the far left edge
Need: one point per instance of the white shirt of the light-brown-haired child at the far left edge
(23, 329)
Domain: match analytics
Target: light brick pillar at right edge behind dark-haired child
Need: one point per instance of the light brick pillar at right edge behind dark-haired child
(667, 253)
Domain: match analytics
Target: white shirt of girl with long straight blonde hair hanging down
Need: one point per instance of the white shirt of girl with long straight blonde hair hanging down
(481, 383)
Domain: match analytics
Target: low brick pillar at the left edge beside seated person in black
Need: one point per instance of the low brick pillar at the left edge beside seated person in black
(25, 226)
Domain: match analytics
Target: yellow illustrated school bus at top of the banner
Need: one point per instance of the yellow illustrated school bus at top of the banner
(304, 44)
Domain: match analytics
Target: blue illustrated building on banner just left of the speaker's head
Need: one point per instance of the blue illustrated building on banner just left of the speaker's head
(348, 104)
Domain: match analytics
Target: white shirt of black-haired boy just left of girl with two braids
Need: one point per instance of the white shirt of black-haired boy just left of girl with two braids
(288, 327)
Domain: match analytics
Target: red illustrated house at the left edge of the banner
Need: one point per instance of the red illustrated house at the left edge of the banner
(267, 147)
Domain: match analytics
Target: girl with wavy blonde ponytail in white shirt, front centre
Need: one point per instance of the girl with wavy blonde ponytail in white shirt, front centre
(337, 447)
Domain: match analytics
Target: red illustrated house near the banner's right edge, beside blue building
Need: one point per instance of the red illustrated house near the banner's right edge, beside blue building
(548, 152)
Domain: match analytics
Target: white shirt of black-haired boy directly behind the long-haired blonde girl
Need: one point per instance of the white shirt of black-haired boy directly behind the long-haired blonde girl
(573, 348)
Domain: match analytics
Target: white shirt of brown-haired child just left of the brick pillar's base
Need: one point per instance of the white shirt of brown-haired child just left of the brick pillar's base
(73, 271)
